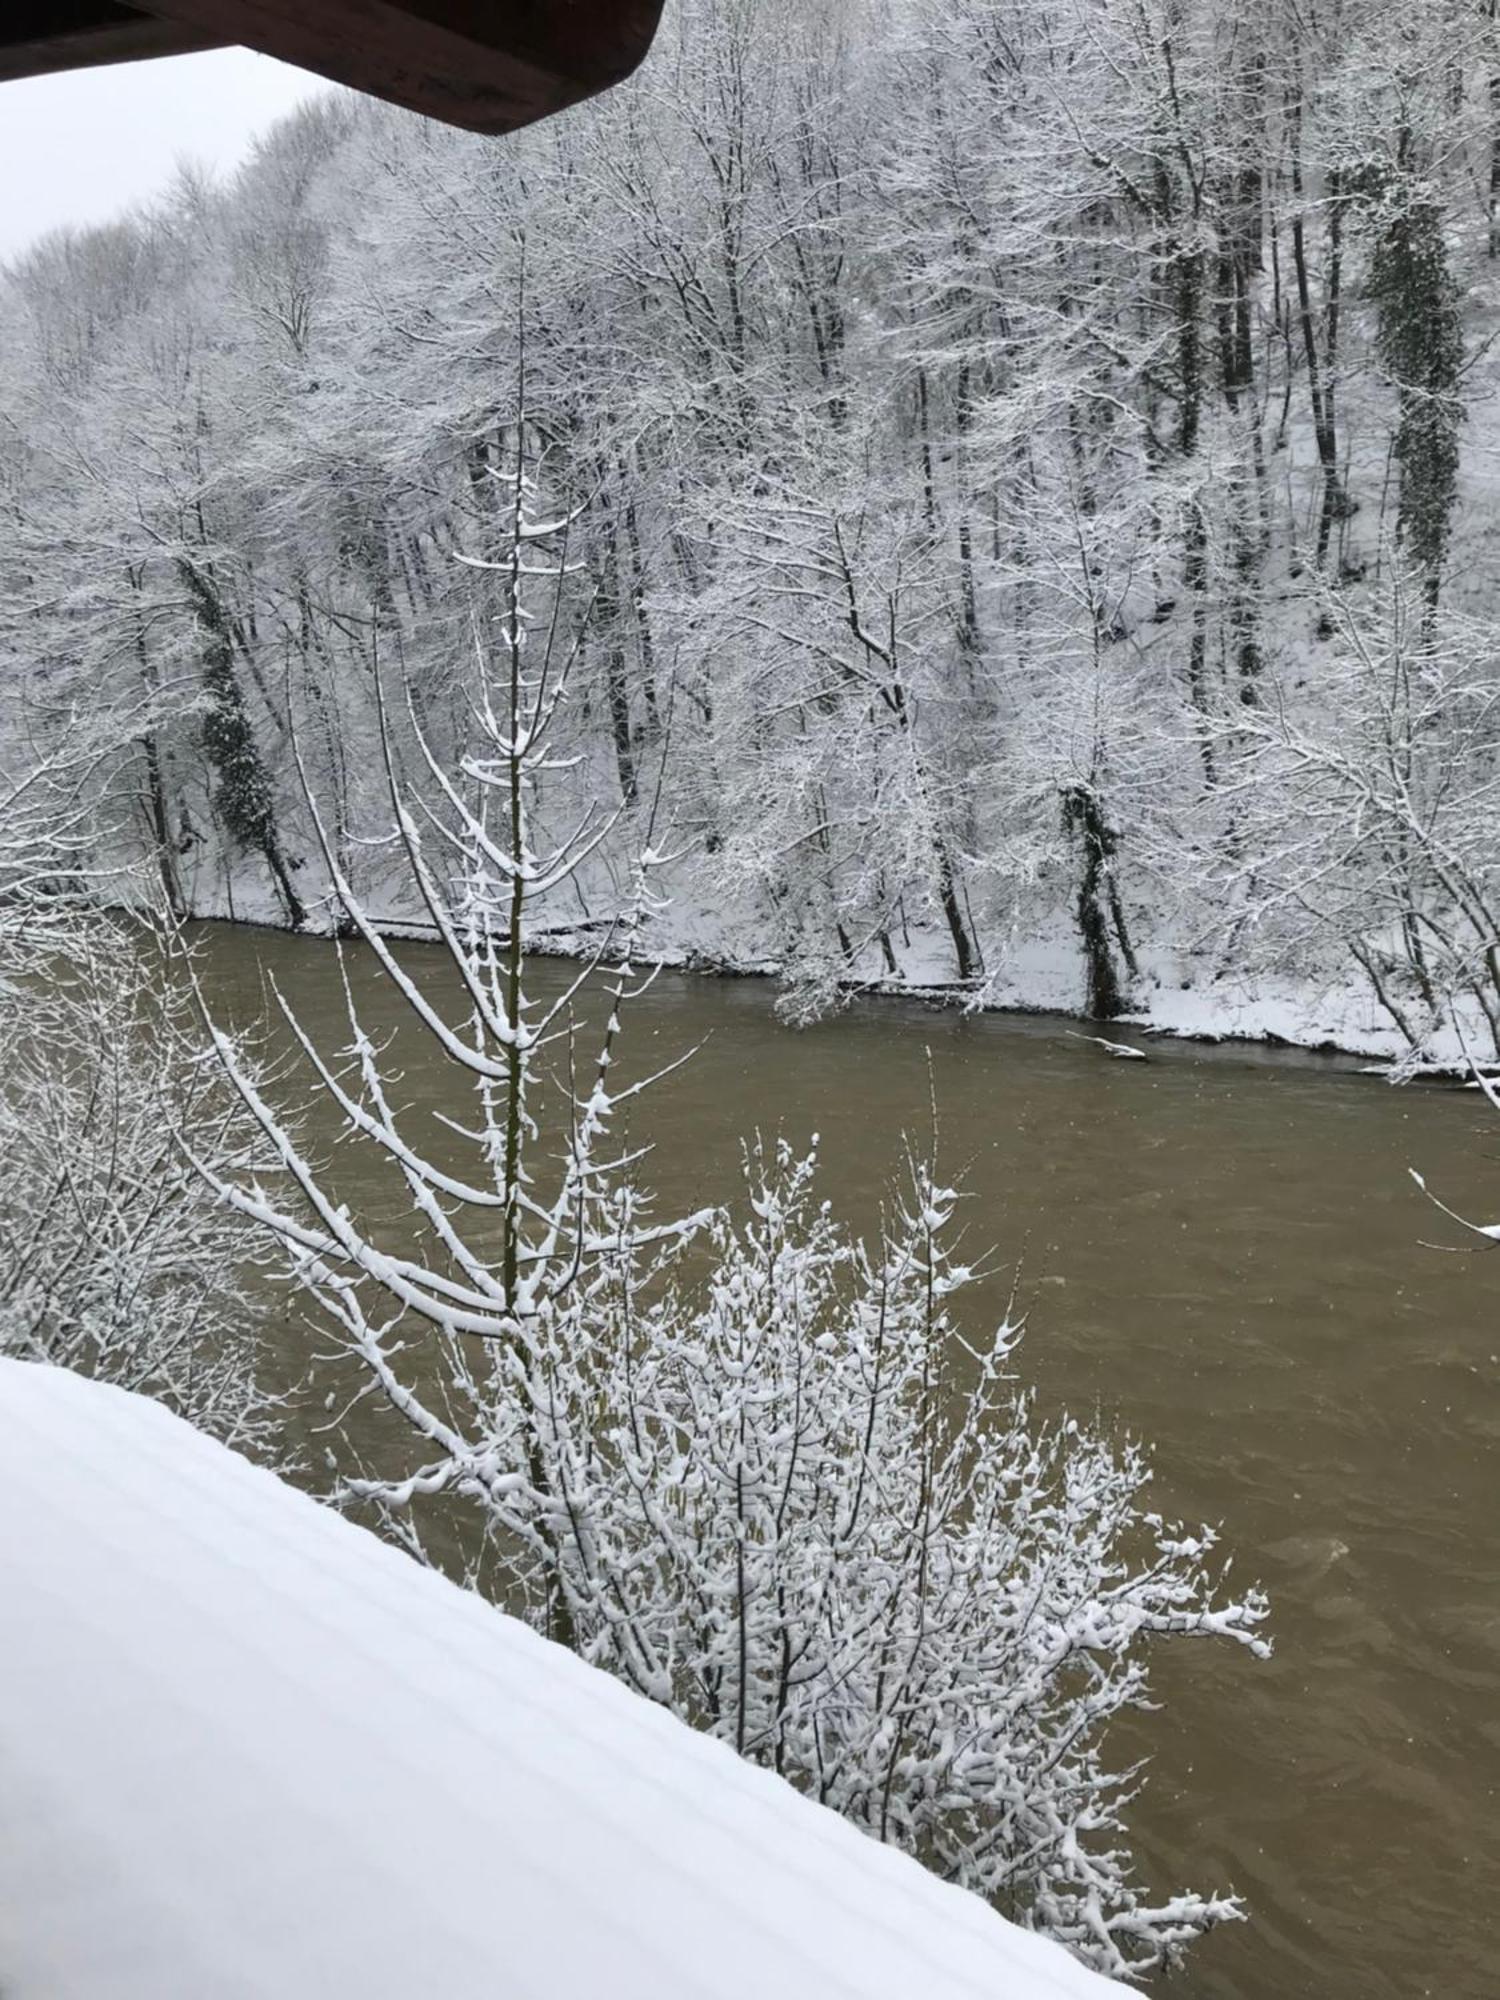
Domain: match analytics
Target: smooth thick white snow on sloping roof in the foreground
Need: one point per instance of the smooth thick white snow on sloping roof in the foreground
(251, 1751)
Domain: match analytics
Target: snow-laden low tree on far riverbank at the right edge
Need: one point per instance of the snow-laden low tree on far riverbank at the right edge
(1367, 815)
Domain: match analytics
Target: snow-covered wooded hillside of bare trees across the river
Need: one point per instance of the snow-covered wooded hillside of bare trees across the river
(1027, 479)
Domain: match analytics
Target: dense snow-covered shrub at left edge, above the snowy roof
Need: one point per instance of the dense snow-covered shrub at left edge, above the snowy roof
(115, 1257)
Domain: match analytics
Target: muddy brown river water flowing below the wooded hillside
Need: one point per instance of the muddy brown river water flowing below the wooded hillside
(1221, 1251)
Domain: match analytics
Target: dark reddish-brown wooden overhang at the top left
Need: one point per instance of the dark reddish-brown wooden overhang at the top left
(487, 65)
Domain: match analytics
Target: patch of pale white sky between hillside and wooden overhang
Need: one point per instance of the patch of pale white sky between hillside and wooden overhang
(91, 143)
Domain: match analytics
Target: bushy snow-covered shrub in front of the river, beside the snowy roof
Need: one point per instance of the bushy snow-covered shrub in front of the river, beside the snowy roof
(793, 1503)
